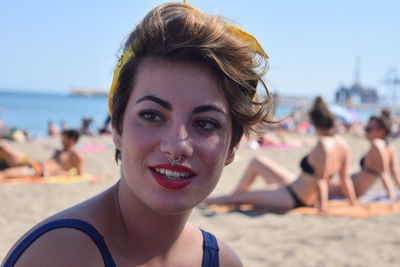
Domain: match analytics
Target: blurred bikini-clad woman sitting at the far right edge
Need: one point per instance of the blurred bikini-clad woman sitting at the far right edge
(379, 162)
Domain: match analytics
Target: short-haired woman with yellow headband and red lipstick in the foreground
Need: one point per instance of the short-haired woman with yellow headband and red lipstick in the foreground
(180, 101)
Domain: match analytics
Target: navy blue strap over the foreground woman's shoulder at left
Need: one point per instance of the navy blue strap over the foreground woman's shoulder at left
(64, 223)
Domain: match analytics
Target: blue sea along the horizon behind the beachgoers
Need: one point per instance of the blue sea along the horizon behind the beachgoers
(32, 111)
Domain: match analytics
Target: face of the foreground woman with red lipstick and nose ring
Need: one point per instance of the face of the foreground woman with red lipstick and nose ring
(178, 110)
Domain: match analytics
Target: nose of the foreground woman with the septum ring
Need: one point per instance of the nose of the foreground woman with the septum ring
(177, 143)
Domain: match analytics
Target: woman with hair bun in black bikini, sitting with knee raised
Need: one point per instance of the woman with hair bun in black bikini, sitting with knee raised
(330, 156)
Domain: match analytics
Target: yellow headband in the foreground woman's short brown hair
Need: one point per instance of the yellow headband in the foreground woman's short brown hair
(128, 53)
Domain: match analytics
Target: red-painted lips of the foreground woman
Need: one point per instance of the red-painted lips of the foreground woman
(176, 183)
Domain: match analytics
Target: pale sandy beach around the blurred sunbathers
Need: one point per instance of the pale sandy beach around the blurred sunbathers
(260, 239)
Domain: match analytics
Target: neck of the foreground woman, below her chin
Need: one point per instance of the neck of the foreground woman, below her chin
(146, 233)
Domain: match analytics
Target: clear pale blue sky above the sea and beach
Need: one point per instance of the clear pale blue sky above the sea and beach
(313, 45)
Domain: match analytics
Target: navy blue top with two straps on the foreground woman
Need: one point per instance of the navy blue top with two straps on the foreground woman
(210, 245)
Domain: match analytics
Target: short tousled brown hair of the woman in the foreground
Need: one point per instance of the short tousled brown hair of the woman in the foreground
(179, 32)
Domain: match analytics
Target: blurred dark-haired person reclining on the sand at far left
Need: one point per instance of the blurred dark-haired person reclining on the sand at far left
(66, 161)
